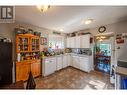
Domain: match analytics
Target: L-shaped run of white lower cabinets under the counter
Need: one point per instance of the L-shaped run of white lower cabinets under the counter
(50, 65)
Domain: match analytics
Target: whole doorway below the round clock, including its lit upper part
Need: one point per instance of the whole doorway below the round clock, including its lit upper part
(103, 53)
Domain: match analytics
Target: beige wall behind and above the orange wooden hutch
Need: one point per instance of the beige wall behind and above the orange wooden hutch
(7, 31)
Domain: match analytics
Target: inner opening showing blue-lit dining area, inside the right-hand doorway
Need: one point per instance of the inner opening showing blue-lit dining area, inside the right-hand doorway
(103, 57)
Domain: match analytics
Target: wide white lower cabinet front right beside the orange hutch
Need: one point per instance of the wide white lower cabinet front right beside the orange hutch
(49, 66)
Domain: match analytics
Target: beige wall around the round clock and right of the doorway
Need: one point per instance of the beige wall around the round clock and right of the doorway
(119, 27)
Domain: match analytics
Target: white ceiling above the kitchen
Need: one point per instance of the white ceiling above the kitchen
(69, 18)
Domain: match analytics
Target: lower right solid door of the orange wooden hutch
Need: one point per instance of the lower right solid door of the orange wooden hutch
(35, 68)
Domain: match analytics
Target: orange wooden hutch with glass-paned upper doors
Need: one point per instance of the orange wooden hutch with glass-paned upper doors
(24, 67)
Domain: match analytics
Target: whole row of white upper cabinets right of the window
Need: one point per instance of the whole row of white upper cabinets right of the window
(79, 41)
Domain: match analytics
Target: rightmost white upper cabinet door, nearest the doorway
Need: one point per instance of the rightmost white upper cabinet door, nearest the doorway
(85, 41)
